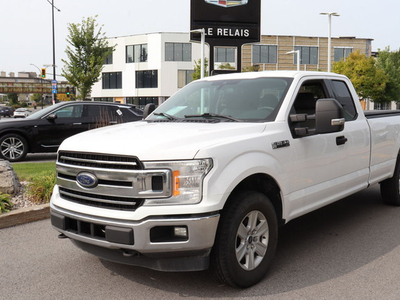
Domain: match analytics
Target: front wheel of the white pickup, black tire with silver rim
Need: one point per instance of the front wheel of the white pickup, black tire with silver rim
(243, 252)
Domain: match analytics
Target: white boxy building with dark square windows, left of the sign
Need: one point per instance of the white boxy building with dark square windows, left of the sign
(147, 68)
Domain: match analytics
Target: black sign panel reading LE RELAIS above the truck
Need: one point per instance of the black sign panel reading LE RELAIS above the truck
(226, 22)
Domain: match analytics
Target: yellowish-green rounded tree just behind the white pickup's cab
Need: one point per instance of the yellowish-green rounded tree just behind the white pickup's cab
(368, 79)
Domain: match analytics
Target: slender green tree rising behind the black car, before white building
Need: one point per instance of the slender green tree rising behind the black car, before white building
(86, 52)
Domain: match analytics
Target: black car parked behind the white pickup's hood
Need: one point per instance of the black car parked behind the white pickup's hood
(44, 130)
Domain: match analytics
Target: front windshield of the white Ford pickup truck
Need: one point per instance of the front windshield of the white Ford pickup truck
(244, 100)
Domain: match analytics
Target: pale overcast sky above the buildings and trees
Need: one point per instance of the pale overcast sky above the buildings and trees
(26, 25)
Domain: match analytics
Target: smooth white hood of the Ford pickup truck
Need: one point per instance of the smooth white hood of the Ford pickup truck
(159, 141)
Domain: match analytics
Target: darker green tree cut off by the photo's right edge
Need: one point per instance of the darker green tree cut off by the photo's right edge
(389, 62)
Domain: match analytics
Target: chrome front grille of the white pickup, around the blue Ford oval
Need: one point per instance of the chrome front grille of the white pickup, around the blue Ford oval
(120, 183)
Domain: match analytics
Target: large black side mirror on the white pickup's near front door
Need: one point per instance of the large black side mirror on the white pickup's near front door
(329, 116)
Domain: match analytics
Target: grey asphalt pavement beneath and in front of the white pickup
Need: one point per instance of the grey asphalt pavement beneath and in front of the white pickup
(348, 250)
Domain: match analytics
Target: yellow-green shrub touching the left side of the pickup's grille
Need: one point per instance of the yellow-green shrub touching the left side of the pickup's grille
(40, 188)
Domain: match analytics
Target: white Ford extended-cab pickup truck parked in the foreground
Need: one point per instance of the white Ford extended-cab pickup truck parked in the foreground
(209, 176)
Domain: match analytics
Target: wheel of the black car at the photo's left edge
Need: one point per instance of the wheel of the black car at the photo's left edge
(13, 147)
